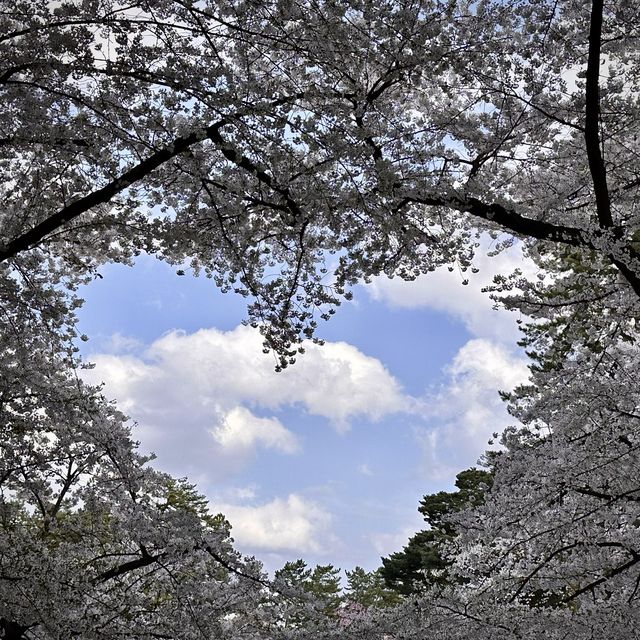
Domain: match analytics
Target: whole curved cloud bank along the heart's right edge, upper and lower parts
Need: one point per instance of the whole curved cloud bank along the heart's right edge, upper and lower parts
(466, 410)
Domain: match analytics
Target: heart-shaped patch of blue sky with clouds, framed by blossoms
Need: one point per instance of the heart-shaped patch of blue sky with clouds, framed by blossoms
(327, 460)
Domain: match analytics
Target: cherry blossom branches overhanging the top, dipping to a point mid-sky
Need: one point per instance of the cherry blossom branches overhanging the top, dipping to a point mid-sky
(240, 137)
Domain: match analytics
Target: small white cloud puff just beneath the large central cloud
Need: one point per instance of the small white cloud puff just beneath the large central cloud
(240, 430)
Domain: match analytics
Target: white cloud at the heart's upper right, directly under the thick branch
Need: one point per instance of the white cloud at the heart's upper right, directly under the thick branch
(443, 291)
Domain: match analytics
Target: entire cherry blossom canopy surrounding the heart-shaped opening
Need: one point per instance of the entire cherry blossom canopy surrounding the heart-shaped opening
(329, 142)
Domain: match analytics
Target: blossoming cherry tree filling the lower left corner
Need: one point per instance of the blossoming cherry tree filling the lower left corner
(93, 542)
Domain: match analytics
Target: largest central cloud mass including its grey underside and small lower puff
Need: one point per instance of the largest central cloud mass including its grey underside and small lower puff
(198, 397)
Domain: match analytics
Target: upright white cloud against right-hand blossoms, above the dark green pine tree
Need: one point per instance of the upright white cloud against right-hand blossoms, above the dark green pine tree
(467, 409)
